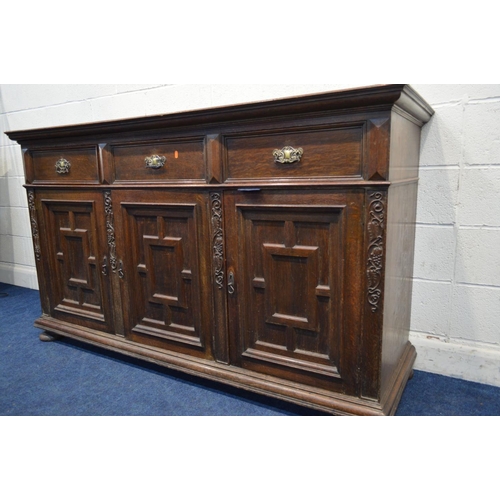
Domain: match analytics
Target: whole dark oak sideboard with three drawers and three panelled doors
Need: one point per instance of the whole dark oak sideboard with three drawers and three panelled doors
(287, 279)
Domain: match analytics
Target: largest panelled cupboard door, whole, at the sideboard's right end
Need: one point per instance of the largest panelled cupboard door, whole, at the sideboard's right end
(295, 260)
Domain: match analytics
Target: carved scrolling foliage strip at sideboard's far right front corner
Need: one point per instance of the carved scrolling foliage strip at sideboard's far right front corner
(376, 224)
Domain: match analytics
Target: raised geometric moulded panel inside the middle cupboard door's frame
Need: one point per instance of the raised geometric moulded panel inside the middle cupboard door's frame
(164, 266)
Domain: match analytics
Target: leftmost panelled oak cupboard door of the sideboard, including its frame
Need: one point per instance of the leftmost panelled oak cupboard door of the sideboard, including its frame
(74, 253)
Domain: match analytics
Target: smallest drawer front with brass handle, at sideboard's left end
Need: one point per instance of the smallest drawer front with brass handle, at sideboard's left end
(66, 165)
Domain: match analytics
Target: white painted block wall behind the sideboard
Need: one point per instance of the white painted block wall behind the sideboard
(456, 293)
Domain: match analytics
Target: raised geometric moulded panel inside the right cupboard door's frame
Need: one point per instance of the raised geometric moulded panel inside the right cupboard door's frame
(292, 261)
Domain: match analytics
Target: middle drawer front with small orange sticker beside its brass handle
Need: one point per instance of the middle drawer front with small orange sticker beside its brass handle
(161, 162)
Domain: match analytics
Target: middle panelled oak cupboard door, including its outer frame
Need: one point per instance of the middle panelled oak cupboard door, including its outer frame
(163, 248)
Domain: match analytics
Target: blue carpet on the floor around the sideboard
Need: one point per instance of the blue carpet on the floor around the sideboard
(71, 378)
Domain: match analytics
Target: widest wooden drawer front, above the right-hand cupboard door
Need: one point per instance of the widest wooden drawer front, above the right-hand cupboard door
(321, 153)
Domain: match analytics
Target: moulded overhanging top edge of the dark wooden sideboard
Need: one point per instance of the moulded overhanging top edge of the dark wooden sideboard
(401, 95)
